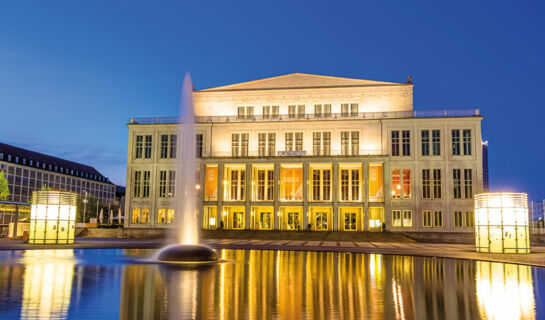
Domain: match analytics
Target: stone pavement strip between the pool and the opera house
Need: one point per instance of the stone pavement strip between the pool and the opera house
(440, 250)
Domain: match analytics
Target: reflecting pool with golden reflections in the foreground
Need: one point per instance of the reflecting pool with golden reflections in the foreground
(253, 284)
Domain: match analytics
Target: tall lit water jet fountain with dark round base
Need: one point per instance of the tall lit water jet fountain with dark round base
(186, 247)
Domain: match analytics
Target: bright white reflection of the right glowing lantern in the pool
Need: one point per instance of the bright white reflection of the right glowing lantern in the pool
(505, 291)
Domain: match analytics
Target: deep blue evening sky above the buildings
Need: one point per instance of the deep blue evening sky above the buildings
(72, 72)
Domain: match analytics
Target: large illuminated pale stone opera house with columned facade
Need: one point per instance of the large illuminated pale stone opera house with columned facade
(303, 151)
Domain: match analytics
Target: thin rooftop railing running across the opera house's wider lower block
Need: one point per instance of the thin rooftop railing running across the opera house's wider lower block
(331, 116)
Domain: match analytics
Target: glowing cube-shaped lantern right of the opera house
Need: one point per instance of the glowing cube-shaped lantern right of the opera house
(501, 222)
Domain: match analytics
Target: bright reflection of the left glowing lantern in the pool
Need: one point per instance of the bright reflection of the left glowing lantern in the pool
(47, 283)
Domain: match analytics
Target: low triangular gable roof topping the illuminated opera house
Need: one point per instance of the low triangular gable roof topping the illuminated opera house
(301, 81)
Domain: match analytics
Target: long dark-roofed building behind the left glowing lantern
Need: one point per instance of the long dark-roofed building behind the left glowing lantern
(27, 170)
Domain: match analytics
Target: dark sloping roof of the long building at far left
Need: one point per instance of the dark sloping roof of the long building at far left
(79, 170)
